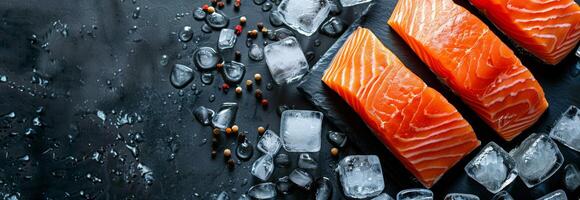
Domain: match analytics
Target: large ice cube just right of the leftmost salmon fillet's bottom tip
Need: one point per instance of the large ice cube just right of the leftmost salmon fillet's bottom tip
(492, 167)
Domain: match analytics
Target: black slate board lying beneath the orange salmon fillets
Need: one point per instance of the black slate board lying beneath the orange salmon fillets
(559, 83)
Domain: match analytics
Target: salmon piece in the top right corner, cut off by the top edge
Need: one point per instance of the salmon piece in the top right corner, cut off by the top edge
(549, 29)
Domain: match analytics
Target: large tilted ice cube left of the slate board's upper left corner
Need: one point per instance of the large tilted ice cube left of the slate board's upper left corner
(285, 60)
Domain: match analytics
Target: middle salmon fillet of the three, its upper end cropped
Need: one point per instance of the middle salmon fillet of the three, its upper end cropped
(473, 62)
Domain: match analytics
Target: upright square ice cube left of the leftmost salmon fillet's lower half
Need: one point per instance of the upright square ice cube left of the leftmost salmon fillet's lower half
(300, 130)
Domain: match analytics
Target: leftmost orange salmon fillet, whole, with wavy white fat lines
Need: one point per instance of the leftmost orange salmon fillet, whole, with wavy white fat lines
(418, 125)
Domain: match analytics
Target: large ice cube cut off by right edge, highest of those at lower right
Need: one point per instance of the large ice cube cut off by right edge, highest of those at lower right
(567, 129)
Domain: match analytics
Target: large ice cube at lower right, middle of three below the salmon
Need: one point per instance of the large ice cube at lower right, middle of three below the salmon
(537, 158)
